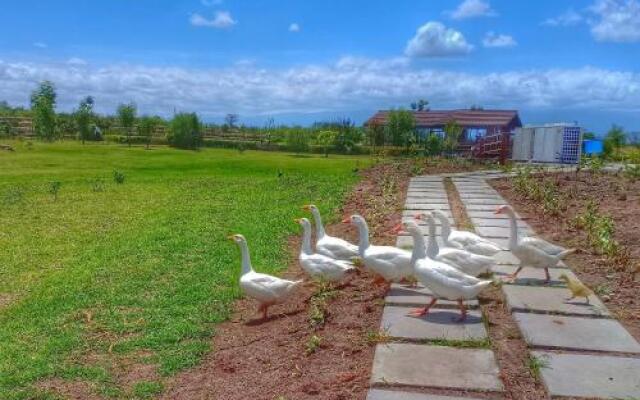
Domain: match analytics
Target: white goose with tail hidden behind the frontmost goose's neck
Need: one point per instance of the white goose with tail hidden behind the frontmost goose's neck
(391, 263)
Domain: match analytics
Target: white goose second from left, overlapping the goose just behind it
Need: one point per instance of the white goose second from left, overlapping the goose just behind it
(318, 265)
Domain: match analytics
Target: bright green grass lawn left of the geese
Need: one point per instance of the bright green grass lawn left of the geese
(141, 269)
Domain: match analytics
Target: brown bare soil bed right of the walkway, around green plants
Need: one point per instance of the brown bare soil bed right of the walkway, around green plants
(614, 279)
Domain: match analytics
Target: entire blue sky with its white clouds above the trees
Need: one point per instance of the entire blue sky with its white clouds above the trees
(300, 61)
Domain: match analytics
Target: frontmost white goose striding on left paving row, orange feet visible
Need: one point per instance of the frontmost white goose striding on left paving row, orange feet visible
(444, 281)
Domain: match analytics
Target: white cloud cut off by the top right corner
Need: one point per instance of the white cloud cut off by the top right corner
(616, 20)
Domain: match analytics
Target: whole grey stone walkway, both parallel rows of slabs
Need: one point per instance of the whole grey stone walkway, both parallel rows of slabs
(583, 350)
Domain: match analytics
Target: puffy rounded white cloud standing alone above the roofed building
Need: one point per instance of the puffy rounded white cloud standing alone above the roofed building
(433, 39)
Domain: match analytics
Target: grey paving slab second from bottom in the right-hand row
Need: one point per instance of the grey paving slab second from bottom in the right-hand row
(576, 333)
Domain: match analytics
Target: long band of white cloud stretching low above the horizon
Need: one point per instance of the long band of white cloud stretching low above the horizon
(348, 84)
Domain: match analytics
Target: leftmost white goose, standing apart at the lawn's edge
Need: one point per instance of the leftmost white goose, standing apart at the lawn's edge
(266, 289)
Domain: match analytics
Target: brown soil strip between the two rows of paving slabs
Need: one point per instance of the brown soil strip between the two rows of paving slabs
(506, 341)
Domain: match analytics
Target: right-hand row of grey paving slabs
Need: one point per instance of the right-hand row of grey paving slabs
(583, 351)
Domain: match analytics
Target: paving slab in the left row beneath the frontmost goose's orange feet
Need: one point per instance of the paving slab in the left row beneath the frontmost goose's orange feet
(438, 324)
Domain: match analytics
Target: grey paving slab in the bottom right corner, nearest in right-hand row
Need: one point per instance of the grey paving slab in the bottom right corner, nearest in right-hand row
(580, 375)
